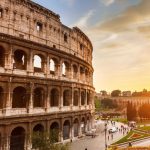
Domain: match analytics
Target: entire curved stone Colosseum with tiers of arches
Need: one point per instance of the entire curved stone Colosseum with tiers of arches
(46, 76)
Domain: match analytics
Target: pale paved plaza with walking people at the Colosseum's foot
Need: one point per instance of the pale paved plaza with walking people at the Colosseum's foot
(97, 143)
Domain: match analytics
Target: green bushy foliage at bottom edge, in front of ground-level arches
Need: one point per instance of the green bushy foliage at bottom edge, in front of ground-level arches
(44, 141)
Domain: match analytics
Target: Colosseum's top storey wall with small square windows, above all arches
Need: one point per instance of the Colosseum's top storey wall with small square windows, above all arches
(46, 28)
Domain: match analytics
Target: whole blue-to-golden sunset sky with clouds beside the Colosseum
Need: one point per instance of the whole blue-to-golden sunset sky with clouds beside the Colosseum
(120, 34)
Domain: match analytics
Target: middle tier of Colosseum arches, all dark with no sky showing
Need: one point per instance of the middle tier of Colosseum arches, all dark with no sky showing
(25, 98)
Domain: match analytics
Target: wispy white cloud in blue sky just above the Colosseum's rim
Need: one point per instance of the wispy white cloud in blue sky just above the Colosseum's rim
(83, 21)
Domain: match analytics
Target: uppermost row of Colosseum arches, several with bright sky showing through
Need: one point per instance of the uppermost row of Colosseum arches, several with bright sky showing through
(23, 61)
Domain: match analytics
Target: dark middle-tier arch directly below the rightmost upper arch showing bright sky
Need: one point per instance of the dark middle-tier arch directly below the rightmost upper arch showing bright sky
(66, 97)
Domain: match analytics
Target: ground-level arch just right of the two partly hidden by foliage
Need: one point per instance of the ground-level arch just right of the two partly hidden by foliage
(66, 130)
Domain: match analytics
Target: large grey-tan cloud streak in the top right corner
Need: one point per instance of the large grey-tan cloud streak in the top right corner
(133, 16)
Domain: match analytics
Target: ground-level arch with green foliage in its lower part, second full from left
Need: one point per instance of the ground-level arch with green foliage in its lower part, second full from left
(37, 136)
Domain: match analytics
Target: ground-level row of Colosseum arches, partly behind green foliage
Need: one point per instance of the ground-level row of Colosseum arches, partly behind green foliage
(24, 136)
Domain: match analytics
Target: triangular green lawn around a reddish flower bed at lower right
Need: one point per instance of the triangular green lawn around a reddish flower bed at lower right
(128, 138)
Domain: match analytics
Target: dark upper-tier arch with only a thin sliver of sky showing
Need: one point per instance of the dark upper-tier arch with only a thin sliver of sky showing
(20, 60)
